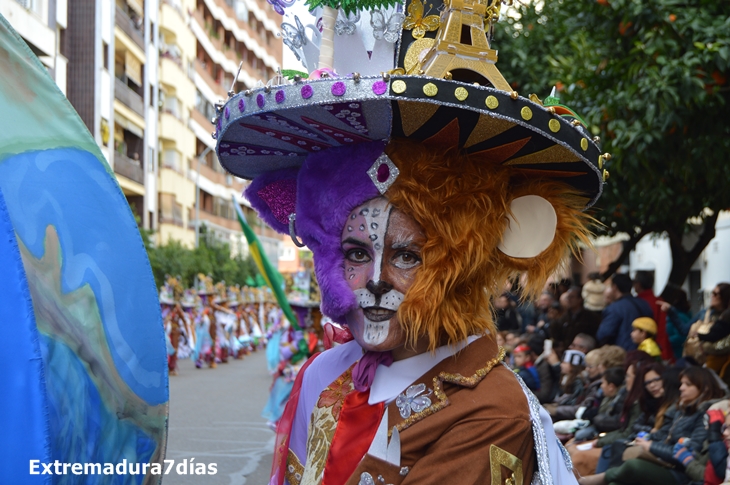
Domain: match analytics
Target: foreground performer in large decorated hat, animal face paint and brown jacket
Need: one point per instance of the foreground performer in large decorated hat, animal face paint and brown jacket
(419, 196)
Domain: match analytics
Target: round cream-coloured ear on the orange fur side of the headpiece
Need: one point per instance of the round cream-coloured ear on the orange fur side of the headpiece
(531, 227)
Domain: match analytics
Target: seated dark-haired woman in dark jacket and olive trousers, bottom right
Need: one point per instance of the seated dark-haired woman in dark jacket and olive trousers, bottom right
(698, 390)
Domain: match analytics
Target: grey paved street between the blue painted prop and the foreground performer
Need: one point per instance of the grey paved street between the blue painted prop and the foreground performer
(215, 417)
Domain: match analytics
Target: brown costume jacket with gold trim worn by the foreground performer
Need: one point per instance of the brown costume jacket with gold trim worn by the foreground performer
(477, 429)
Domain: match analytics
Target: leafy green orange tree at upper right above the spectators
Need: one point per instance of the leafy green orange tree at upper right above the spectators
(649, 77)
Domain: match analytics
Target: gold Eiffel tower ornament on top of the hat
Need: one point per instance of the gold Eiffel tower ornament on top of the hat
(461, 48)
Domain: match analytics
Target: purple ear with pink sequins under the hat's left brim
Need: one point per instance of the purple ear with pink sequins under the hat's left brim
(274, 196)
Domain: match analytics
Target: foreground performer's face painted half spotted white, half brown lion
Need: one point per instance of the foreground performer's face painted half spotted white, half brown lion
(382, 249)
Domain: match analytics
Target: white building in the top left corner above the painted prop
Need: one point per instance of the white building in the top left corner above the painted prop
(42, 24)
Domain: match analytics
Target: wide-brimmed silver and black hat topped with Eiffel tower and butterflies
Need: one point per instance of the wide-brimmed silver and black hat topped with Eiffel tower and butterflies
(402, 72)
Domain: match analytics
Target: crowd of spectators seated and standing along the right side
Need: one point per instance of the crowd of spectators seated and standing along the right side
(636, 385)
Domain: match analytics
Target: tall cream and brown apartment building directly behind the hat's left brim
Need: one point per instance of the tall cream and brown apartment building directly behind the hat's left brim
(202, 43)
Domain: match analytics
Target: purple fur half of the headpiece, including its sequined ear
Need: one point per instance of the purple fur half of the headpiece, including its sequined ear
(322, 193)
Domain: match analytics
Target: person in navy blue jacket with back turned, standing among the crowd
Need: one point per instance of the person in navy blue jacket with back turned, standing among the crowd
(615, 327)
